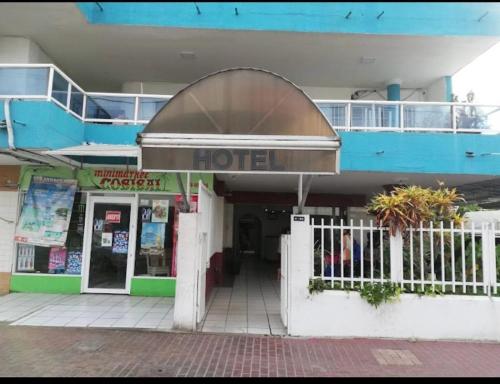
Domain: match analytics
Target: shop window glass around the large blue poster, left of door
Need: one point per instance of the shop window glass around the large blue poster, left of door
(67, 260)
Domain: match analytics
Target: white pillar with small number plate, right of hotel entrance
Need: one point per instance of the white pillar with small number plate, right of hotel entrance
(300, 269)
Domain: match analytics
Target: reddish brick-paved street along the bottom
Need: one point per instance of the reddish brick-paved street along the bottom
(51, 351)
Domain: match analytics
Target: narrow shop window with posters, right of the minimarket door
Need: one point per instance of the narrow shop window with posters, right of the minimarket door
(154, 236)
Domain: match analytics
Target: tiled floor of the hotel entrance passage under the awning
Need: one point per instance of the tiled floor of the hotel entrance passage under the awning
(251, 306)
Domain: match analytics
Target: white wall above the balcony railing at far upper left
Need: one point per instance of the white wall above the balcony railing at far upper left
(21, 50)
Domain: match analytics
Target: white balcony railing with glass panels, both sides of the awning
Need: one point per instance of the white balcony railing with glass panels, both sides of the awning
(47, 82)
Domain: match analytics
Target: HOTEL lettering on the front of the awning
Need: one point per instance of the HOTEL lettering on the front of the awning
(242, 159)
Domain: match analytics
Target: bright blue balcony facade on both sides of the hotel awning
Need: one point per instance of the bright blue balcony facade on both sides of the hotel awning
(48, 126)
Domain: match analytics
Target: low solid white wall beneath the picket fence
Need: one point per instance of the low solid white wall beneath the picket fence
(341, 314)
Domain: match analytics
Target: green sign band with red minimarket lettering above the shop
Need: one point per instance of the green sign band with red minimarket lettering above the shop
(119, 180)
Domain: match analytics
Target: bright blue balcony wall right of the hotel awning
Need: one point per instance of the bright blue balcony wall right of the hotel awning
(420, 152)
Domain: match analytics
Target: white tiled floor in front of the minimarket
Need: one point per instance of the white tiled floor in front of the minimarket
(87, 310)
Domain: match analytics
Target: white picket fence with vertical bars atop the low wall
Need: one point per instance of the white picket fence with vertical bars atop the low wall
(443, 258)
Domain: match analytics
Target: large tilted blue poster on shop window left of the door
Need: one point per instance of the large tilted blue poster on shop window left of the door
(46, 212)
